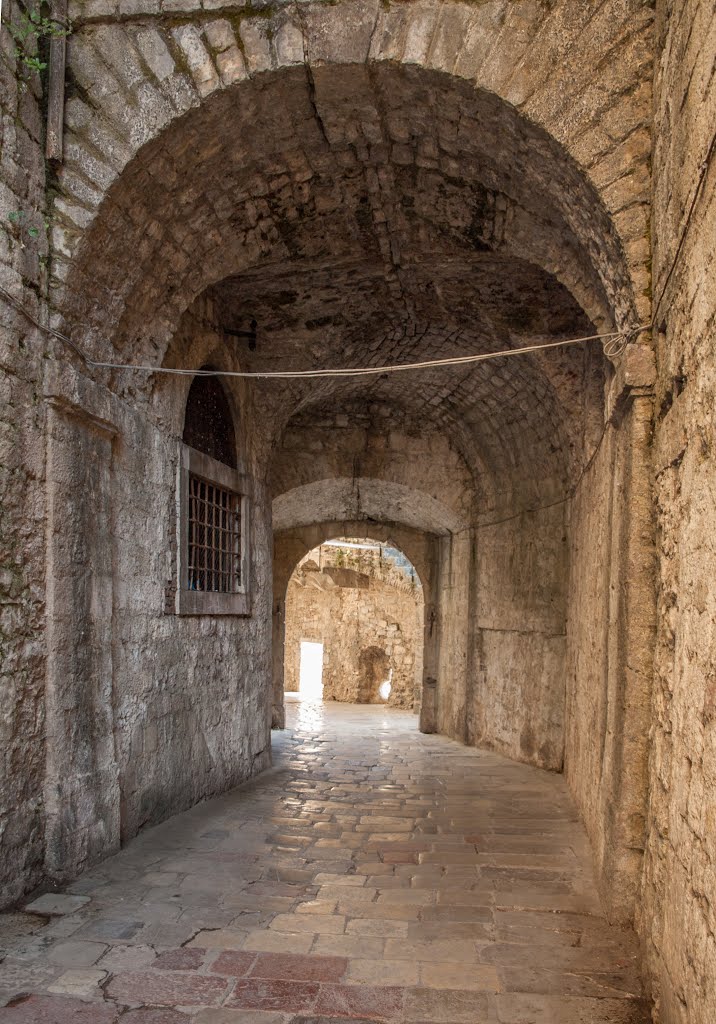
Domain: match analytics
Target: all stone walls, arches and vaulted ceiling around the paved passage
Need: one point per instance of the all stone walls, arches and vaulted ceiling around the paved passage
(373, 183)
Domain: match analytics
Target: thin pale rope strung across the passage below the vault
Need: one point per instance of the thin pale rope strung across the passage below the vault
(614, 346)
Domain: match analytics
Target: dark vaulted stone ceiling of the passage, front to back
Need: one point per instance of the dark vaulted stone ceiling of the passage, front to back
(371, 215)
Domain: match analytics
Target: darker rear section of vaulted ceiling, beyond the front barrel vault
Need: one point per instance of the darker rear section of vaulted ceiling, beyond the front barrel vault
(521, 410)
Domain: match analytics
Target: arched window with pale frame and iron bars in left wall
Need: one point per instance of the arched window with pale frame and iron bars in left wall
(215, 509)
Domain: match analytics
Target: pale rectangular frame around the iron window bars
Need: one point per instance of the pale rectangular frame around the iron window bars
(193, 603)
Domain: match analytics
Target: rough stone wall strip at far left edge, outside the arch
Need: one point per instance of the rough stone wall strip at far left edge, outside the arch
(23, 355)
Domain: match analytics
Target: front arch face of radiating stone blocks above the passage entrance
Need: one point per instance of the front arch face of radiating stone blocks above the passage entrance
(159, 70)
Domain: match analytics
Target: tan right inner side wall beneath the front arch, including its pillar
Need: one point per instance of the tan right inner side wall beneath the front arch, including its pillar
(610, 651)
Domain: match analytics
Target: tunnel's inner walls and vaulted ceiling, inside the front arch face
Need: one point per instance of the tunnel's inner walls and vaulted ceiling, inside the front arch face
(358, 215)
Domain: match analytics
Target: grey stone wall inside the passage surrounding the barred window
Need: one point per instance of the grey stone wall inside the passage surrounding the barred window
(165, 714)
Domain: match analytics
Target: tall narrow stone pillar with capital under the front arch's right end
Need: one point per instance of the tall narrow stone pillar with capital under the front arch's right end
(631, 637)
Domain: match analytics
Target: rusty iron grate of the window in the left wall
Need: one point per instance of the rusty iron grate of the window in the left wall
(215, 538)
